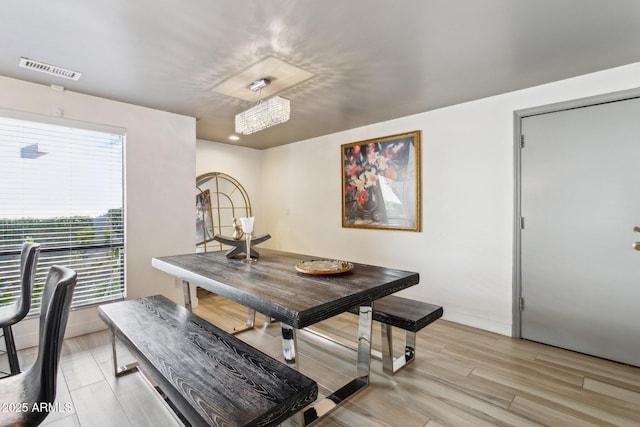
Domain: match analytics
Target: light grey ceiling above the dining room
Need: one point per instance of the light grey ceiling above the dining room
(371, 60)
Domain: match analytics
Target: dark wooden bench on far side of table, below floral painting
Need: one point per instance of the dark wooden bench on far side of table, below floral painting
(406, 314)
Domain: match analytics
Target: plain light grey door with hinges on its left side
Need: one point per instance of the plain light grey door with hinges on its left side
(580, 201)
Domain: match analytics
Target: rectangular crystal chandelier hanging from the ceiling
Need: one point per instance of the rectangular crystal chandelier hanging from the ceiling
(265, 113)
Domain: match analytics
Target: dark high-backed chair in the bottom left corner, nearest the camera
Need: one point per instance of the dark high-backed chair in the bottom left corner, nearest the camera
(33, 391)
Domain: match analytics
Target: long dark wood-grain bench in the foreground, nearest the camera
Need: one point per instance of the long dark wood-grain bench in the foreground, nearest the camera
(211, 377)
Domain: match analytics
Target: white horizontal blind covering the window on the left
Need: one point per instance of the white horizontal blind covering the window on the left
(62, 187)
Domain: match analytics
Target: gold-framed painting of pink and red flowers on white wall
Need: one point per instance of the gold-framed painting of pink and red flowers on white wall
(381, 183)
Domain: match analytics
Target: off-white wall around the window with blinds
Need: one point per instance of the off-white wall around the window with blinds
(159, 174)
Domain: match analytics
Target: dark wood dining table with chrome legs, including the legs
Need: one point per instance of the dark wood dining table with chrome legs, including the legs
(276, 286)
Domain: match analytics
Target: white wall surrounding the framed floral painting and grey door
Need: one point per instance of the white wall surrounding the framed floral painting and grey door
(464, 253)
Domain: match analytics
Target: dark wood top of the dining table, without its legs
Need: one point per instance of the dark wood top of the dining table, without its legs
(274, 287)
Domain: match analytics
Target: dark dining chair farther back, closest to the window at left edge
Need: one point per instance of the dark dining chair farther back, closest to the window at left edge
(13, 313)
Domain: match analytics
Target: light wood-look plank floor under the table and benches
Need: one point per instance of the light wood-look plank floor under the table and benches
(461, 377)
